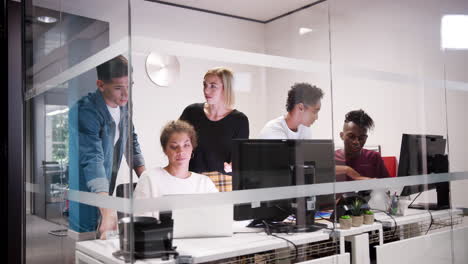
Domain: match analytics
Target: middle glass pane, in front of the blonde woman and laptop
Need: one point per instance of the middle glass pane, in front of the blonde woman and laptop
(263, 168)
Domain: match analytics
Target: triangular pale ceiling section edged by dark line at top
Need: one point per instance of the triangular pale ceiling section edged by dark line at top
(262, 10)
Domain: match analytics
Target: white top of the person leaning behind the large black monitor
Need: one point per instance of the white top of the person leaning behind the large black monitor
(278, 129)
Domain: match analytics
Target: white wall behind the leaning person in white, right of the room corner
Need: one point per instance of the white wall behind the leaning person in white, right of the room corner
(282, 38)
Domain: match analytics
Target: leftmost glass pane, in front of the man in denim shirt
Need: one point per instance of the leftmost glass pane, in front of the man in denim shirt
(68, 123)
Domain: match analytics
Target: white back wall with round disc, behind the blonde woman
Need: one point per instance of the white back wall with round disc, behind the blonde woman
(153, 105)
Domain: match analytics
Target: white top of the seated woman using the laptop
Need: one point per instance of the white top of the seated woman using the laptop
(158, 182)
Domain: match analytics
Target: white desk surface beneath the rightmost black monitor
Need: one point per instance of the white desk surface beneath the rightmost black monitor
(414, 216)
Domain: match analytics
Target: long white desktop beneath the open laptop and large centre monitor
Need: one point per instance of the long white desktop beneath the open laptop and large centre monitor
(201, 249)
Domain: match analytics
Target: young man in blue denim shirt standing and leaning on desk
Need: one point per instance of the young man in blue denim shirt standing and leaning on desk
(99, 136)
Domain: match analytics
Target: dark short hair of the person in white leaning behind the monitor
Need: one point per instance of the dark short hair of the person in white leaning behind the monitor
(303, 93)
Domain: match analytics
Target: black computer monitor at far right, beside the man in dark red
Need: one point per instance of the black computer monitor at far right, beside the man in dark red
(425, 154)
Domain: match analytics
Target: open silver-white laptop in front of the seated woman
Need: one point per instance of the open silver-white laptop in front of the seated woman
(212, 221)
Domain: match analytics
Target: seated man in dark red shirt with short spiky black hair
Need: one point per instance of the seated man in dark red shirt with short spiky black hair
(355, 162)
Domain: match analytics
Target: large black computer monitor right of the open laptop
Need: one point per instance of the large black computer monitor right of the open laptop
(261, 163)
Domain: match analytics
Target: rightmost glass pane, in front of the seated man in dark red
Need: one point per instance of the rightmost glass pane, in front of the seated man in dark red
(392, 93)
